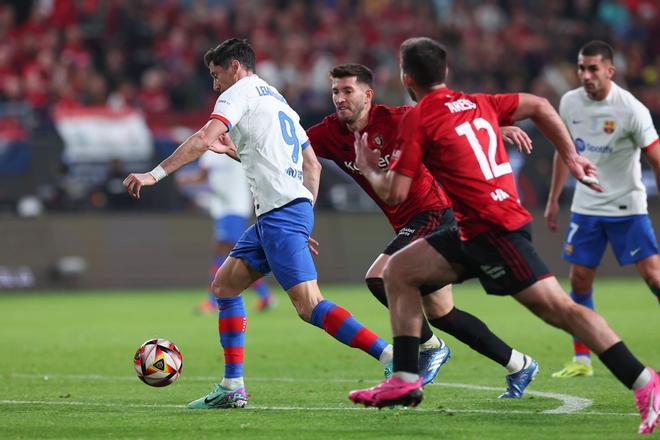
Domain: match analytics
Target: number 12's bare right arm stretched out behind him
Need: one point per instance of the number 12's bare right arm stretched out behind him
(546, 118)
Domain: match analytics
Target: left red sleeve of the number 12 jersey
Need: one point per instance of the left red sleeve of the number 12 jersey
(407, 154)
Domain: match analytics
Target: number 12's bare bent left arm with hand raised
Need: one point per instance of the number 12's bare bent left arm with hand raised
(392, 188)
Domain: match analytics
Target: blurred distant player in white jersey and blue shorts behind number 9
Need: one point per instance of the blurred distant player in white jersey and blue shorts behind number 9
(230, 206)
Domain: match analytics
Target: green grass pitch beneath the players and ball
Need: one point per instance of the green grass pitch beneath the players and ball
(66, 371)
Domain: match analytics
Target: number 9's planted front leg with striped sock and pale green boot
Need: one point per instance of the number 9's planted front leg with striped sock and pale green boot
(232, 278)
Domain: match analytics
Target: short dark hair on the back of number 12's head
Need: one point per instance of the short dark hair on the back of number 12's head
(425, 60)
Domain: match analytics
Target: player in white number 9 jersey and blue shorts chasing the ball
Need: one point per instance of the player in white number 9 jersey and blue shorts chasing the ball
(283, 174)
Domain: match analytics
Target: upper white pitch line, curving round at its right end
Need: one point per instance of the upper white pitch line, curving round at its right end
(570, 404)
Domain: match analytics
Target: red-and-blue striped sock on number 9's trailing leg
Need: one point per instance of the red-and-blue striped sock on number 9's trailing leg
(339, 324)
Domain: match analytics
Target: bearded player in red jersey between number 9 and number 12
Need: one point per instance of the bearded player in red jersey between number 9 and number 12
(425, 210)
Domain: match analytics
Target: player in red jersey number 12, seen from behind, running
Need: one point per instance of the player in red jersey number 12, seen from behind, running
(456, 137)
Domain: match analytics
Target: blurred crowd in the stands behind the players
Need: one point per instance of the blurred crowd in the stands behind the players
(65, 55)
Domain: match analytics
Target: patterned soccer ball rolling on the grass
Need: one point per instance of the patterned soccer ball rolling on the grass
(158, 362)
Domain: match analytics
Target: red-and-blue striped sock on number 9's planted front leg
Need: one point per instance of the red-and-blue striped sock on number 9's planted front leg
(231, 327)
